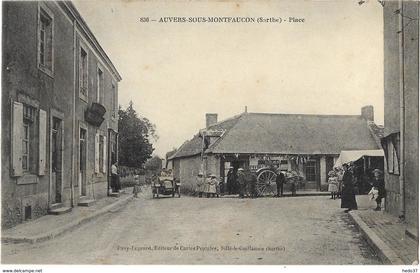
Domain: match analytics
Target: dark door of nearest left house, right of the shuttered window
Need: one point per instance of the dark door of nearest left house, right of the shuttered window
(56, 160)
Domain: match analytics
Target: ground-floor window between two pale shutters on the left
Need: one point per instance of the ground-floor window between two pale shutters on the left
(28, 136)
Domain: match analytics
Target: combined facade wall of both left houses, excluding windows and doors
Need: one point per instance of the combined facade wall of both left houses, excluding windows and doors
(23, 81)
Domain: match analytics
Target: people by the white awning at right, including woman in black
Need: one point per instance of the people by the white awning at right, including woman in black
(341, 184)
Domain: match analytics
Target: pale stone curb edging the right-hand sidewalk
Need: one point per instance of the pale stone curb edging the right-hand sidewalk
(385, 253)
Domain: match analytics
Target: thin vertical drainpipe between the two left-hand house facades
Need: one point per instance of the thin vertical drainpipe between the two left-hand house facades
(73, 141)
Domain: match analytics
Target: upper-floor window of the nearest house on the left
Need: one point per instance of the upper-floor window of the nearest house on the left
(45, 40)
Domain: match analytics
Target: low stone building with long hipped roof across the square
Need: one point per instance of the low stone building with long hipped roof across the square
(307, 144)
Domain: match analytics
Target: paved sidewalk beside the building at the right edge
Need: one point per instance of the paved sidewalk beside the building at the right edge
(385, 233)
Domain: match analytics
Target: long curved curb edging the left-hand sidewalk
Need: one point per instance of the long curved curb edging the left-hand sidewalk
(68, 227)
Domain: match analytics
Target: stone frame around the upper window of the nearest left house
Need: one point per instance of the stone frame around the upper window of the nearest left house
(45, 12)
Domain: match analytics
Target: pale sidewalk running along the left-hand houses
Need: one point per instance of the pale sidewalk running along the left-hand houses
(50, 226)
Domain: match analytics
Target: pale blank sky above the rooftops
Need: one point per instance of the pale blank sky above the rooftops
(332, 63)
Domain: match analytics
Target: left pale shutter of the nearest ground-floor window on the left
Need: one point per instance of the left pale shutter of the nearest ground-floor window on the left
(16, 139)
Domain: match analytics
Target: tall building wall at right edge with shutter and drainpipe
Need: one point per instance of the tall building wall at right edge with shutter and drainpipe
(401, 90)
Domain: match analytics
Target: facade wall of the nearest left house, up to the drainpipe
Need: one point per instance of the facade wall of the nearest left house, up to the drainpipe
(22, 79)
